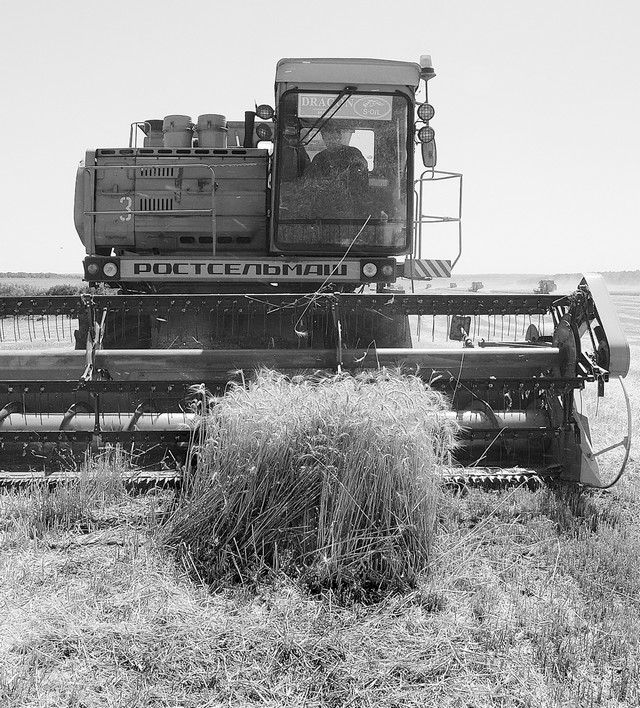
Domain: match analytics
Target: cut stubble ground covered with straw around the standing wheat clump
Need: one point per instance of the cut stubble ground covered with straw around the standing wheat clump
(531, 599)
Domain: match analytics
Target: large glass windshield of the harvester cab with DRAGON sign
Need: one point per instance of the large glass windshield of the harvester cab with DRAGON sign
(342, 162)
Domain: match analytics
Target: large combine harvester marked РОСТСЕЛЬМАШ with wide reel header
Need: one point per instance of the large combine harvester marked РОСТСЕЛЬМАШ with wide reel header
(281, 241)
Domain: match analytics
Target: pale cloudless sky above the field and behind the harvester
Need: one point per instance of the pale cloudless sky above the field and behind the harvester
(537, 104)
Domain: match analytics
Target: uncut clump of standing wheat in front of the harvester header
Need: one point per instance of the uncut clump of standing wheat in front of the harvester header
(332, 480)
